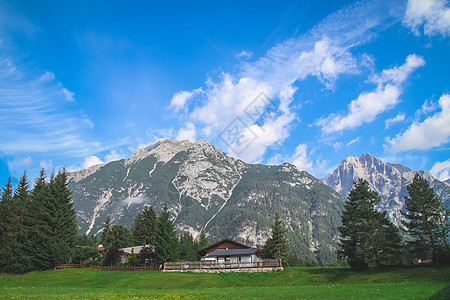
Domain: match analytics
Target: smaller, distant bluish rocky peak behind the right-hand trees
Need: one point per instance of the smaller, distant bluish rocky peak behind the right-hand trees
(389, 180)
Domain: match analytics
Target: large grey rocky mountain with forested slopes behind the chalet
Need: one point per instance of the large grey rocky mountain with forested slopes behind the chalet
(206, 189)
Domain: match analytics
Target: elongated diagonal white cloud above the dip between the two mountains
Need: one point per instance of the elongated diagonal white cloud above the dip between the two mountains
(369, 105)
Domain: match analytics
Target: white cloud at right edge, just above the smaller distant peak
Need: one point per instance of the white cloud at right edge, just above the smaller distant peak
(432, 132)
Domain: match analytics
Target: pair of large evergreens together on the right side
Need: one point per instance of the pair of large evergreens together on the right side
(369, 240)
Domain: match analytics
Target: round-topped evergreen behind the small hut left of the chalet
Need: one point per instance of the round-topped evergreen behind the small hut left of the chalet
(143, 226)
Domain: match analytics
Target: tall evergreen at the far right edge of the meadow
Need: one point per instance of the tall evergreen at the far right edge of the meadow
(426, 220)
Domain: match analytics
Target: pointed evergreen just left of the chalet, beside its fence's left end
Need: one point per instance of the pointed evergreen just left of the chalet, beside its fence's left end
(165, 240)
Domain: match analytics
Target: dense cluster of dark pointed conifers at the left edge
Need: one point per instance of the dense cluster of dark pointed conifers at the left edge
(38, 227)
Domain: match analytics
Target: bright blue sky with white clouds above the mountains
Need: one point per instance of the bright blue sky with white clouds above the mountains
(87, 82)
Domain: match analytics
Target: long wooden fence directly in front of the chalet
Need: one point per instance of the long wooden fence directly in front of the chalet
(202, 265)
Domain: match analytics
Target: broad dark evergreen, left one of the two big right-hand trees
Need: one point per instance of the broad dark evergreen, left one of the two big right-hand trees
(367, 239)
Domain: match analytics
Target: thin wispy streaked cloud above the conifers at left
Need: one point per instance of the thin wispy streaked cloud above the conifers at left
(33, 113)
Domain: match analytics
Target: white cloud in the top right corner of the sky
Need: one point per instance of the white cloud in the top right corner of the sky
(434, 15)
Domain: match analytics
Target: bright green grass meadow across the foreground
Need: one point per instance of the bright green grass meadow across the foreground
(305, 283)
